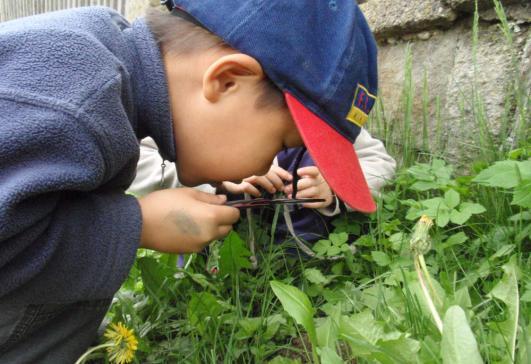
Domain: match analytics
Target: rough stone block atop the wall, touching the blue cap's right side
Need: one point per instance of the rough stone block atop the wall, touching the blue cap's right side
(391, 16)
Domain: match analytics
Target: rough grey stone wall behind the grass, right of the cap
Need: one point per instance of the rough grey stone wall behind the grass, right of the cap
(438, 33)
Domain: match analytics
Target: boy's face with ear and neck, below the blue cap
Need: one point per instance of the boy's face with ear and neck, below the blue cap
(220, 133)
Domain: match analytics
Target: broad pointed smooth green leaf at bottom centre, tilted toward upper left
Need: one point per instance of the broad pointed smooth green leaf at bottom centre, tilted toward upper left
(298, 306)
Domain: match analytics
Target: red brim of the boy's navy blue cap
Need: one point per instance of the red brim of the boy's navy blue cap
(334, 155)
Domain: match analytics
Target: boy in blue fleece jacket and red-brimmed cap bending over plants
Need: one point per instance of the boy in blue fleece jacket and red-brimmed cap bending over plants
(79, 88)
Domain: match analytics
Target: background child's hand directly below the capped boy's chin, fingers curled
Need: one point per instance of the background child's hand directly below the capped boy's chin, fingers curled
(272, 182)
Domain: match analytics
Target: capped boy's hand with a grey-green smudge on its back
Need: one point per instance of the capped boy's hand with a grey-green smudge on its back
(184, 220)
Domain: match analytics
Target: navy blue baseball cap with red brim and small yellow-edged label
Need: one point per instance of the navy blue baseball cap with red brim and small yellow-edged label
(323, 57)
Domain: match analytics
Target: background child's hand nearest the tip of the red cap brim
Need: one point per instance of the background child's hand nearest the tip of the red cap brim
(312, 185)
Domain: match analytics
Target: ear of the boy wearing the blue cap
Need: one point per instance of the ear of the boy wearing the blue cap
(227, 73)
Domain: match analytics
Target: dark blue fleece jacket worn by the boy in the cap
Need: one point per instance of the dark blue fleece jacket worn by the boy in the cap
(78, 88)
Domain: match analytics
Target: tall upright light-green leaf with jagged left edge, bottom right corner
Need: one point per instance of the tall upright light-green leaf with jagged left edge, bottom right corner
(507, 291)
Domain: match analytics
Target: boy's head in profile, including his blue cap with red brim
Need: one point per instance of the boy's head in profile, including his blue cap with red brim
(230, 122)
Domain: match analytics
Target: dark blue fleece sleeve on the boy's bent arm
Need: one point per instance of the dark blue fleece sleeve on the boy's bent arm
(67, 230)
